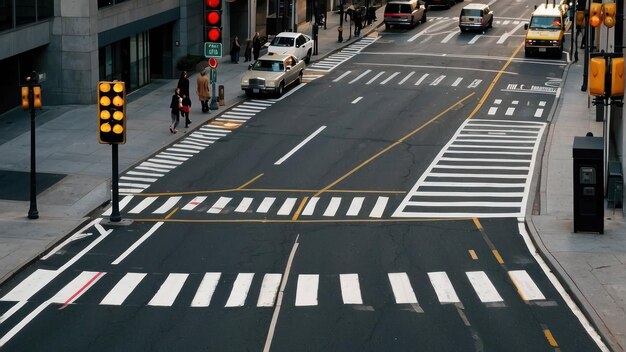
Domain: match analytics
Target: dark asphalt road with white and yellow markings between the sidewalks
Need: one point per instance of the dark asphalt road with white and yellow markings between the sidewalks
(375, 208)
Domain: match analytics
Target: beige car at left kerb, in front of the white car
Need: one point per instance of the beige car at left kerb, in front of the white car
(272, 73)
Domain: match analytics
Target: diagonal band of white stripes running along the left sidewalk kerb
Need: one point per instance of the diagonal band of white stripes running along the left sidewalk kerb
(139, 178)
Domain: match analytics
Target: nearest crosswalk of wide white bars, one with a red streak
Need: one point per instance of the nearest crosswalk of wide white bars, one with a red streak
(232, 290)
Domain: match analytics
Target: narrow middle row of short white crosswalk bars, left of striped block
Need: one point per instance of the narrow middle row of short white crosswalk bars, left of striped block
(281, 206)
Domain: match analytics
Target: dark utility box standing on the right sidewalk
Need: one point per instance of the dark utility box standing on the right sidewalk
(588, 154)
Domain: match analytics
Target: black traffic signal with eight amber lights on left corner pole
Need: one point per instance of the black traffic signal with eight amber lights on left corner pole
(111, 113)
